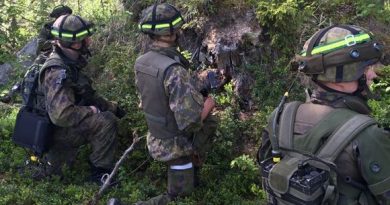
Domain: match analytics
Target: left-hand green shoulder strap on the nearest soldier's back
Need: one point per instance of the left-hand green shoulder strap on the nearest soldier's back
(286, 125)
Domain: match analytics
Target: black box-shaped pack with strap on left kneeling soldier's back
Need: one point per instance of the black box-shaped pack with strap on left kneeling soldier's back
(33, 126)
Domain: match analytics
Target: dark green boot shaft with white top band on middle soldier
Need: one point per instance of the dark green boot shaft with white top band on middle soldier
(180, 179)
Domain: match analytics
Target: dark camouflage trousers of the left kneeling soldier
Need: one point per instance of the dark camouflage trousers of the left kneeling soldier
(99, 130)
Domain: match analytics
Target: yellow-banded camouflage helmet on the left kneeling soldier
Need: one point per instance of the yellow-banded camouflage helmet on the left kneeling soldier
(71, 28)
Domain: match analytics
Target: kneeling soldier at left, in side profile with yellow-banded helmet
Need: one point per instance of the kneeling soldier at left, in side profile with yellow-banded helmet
(79, 114)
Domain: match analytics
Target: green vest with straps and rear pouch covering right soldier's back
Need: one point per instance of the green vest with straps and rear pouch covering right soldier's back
(307, 173)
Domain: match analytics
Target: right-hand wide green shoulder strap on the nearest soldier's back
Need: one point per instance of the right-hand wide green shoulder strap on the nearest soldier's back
(343, 136)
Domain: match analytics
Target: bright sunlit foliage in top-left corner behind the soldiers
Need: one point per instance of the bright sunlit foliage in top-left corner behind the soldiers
(21, 20)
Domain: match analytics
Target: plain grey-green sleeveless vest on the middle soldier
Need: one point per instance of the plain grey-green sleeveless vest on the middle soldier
(150, 70)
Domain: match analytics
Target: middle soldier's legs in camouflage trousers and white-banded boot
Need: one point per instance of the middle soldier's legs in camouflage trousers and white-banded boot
(184, 156)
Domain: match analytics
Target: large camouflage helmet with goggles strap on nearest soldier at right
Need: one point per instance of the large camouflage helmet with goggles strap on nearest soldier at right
(338, 53)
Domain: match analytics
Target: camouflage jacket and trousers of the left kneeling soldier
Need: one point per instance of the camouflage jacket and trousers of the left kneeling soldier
(68, 95)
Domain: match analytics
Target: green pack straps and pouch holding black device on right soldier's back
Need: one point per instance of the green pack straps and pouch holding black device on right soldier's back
(305, 178)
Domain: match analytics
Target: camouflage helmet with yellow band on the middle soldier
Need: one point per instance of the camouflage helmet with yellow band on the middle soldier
(160, 19)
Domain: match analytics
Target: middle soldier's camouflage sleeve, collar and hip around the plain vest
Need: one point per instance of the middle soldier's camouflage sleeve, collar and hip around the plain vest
(186, 102)
